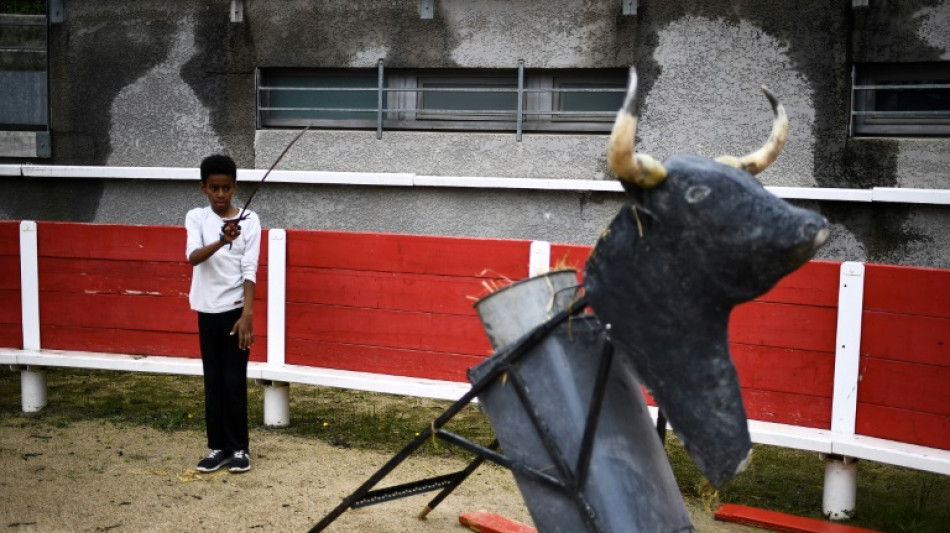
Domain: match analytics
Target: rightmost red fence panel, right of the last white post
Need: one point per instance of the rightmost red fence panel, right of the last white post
(904, 390)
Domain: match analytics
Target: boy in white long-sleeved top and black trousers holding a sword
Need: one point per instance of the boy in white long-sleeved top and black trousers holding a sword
(222, 292)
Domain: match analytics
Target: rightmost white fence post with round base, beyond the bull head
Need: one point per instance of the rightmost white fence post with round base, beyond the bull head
(841, 473)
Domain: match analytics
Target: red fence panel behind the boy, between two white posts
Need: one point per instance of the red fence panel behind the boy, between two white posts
(123, 289)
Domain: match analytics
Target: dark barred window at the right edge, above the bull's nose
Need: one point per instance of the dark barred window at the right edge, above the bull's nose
(909, 99)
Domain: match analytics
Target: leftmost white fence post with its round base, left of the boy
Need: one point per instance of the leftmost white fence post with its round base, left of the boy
(32, 379)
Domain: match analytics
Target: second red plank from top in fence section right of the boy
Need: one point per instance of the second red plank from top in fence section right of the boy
(384, 290)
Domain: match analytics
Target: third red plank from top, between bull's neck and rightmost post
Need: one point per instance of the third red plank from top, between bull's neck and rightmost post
(785, 370)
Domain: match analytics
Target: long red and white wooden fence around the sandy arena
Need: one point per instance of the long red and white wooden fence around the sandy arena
(850, 360)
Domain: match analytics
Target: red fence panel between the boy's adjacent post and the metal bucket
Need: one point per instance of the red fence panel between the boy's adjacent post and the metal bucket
(393, 304)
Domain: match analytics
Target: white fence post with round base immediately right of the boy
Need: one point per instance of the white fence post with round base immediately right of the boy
(276, 393)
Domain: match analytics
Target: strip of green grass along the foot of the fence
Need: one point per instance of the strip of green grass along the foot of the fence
(889, 498)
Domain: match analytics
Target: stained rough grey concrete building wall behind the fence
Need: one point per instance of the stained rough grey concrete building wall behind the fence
(166, 83)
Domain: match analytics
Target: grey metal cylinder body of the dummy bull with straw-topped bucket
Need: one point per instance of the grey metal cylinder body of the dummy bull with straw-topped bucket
(630, 486)
